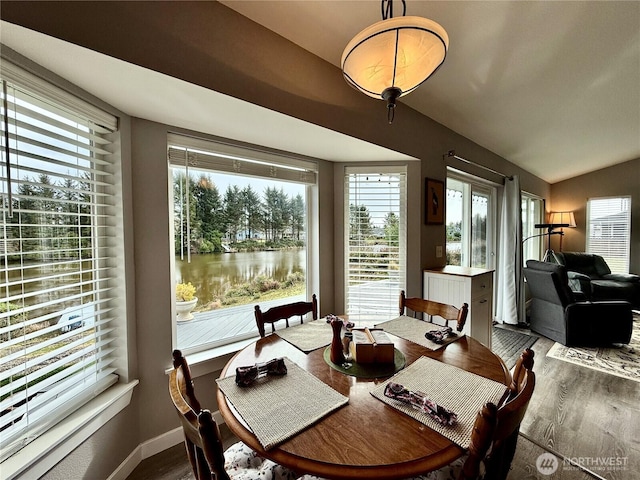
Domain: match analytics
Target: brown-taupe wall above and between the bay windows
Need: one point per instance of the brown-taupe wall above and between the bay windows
(198, 42)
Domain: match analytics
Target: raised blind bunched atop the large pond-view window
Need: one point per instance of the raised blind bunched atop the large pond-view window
(208, 155)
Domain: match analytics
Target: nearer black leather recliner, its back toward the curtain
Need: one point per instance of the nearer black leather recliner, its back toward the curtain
(556, 314)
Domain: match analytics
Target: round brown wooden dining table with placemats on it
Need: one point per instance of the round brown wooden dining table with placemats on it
(366, 438)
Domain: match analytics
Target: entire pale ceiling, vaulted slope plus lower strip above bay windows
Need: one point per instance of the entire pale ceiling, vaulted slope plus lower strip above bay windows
(553, 87)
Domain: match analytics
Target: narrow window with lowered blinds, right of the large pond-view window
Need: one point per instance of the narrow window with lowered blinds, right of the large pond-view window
(375, 207)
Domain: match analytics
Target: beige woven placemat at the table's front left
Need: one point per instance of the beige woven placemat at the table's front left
(277, 408)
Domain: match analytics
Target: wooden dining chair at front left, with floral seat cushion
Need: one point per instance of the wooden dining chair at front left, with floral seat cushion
(203, 442)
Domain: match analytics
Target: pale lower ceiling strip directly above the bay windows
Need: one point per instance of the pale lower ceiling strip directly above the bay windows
(137, 96)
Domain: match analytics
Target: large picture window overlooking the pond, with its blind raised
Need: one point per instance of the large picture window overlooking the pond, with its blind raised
(241, 230)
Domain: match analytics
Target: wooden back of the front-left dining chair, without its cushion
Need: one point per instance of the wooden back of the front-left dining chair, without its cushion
(202, 436)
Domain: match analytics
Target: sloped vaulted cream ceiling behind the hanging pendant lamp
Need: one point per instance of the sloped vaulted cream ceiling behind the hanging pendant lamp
(551, 86)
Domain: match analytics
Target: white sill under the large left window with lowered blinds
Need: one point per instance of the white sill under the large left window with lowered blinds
(51, 447)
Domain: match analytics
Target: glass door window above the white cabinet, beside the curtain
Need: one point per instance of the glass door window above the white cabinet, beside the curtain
(470, 222)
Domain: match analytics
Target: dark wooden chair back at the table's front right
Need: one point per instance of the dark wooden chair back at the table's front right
(496, 429)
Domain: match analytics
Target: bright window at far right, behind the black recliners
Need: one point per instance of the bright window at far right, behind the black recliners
(609, 231)
